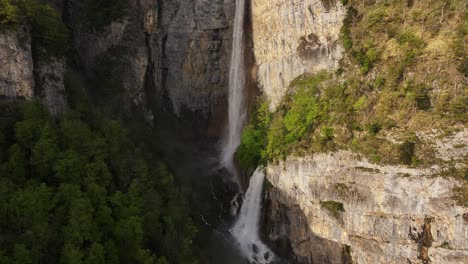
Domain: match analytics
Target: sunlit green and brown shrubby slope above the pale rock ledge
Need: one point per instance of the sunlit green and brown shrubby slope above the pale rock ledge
(403, 72)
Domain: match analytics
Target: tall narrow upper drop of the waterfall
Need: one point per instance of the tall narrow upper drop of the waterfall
(236, 90)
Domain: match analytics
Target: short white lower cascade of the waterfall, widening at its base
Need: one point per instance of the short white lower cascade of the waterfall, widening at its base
(246, 229)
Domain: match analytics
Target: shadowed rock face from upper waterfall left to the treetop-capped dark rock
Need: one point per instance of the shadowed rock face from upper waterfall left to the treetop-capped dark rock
(174, 53)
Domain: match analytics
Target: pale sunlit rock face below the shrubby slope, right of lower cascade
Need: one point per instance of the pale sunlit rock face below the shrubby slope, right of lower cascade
(390, 214)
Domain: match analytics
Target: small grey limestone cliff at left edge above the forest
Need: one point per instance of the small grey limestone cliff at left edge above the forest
(24, 75)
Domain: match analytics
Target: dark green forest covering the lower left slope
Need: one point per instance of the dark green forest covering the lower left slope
(78, 190)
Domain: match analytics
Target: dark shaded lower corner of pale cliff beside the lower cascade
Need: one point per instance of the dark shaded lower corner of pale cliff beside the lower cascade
(286, 231)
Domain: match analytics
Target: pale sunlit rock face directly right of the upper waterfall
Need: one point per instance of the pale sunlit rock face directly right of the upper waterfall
(292, 38)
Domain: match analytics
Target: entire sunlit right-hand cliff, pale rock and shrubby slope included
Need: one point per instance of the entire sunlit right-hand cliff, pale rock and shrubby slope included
(349, 205)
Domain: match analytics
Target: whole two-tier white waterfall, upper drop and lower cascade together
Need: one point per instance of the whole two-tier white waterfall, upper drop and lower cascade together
(246, 229)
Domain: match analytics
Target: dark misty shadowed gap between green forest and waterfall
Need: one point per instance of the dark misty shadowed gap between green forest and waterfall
(193, 156)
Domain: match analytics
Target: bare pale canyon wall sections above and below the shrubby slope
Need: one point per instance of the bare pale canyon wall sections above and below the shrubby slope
(337, 207)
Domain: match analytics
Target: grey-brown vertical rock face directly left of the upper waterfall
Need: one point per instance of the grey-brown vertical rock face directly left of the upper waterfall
(195, 42)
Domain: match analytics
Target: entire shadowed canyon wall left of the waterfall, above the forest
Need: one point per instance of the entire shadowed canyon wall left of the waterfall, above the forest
(172, 55)
